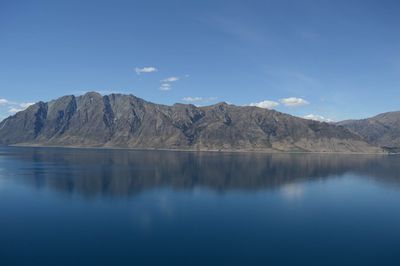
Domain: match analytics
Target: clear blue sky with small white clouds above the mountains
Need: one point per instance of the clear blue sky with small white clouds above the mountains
(327, 60)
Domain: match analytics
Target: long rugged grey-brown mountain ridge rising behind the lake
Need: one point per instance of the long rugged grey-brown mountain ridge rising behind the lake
(116, 120)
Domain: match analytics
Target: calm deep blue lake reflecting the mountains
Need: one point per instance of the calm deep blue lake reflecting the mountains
(124, 207)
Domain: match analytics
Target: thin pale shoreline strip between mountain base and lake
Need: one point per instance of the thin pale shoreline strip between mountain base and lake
(192, 150)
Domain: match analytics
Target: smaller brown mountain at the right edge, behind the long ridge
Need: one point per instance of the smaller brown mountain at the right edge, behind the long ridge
(382, 130)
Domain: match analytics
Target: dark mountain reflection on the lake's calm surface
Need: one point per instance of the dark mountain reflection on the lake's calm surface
(94, 172)
